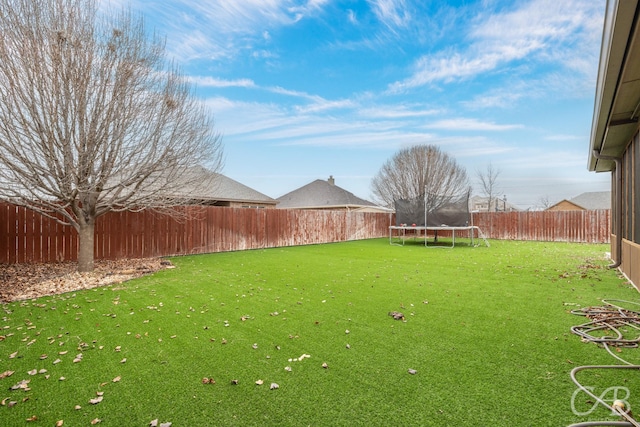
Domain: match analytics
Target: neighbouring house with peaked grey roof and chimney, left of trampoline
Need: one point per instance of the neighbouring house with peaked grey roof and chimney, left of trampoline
(321, 194)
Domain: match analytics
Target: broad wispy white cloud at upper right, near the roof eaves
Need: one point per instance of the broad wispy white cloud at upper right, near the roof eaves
(541, 30)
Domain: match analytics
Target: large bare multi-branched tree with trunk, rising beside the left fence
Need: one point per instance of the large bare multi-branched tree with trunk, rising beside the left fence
(93, 118)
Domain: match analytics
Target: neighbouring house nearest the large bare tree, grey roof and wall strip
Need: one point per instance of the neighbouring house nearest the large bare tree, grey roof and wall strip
(214, 189)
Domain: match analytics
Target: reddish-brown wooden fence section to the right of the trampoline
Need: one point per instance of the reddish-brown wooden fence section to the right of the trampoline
(593, 226)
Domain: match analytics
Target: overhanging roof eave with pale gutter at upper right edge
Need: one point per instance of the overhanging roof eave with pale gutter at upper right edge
(617, 106)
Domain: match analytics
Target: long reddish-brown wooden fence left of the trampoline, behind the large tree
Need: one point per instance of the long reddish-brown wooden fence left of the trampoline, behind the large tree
(29, 237)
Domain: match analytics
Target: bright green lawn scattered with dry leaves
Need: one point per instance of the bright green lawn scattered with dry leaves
(486, 329)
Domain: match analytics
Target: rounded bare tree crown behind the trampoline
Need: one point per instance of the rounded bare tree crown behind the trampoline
(418, 171)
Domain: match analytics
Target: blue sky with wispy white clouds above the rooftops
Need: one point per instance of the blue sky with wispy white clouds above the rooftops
(305, 89)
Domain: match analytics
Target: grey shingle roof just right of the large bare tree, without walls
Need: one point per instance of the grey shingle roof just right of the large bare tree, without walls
(213, 186)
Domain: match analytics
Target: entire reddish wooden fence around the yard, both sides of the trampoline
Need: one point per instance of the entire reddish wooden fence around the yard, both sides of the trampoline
(28, 237)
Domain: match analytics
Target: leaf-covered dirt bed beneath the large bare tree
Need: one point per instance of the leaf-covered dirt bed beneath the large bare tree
(26, 281)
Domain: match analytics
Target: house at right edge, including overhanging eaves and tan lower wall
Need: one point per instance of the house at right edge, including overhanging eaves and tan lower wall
(615, 143)
